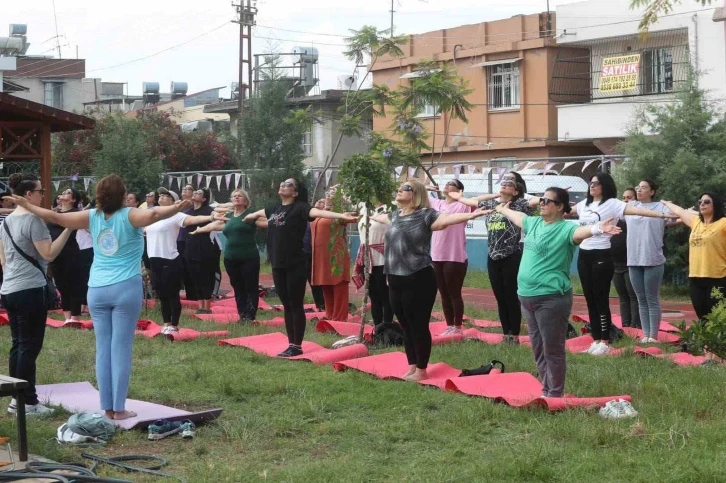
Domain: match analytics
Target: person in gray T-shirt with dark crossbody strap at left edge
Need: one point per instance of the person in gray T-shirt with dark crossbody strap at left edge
(23, 288)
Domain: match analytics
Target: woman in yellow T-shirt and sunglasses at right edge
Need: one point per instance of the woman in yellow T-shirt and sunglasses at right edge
(707, 253)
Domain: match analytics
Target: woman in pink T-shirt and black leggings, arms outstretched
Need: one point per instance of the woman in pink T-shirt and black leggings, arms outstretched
(450, 261)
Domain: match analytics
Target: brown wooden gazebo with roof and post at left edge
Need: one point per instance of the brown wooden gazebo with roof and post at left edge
(25, 129)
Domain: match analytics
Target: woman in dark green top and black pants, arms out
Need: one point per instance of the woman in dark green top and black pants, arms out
(241, 256)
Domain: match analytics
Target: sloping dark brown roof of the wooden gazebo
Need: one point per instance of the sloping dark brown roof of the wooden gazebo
(13, 108)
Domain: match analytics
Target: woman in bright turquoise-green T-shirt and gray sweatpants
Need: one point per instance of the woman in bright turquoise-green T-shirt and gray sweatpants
(544, 280)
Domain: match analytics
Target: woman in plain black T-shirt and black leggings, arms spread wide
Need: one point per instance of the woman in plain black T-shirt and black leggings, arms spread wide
(286, 225)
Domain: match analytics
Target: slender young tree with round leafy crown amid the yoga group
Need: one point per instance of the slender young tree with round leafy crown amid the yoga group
(364, 179)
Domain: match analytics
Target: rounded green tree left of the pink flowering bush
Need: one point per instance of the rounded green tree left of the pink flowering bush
(123, 150)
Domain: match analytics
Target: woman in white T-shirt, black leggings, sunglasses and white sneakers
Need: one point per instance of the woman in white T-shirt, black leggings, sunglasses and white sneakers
(595, 264)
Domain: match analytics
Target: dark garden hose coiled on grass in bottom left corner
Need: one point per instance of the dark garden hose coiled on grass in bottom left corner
(38, 470)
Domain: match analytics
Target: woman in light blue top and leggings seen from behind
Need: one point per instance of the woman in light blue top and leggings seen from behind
(114, 288)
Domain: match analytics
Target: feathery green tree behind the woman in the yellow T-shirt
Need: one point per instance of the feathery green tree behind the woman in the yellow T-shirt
(682, 146)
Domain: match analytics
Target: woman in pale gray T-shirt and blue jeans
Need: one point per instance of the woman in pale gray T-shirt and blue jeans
(646, 261)
